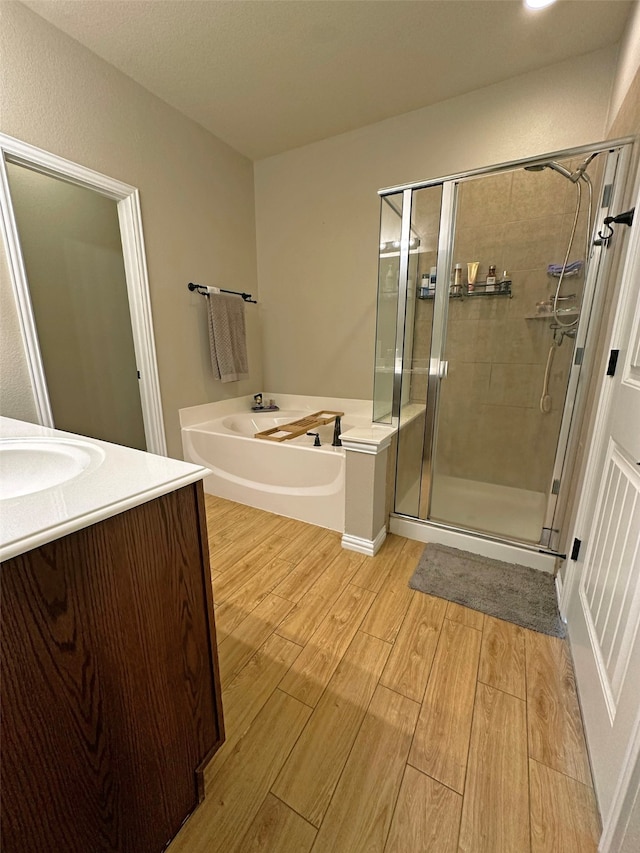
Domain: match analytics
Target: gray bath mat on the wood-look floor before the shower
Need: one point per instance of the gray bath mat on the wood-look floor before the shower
(510, 592)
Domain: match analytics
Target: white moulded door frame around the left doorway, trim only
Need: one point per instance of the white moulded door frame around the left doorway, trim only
(127, 199)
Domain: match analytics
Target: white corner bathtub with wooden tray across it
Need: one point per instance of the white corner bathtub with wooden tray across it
(292, 478)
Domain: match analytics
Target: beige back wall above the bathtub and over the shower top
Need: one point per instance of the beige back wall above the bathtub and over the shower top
(317, 212)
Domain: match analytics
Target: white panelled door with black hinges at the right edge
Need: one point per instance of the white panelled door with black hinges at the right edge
(603, 592)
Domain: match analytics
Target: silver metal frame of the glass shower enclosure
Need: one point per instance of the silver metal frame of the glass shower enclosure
(581, 367)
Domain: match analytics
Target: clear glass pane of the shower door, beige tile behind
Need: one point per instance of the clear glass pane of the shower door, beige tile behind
(495, 446)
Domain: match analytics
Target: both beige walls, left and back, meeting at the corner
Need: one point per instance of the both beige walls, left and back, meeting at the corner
(316, 207)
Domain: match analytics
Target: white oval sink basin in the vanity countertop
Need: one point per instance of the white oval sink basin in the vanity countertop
(29, 465)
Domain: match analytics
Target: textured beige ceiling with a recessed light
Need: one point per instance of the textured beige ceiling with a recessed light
(269, 75)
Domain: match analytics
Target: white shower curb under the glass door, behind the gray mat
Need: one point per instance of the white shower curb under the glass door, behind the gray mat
(423, 531)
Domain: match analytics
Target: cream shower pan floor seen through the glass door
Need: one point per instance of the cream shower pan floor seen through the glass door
(489, 508)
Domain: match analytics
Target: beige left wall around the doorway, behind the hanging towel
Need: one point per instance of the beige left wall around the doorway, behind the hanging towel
(196, 195)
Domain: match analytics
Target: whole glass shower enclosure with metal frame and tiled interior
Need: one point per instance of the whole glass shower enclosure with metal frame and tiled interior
(489, 283)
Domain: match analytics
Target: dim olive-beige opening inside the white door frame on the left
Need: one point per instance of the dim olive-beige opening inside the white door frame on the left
(70, 242)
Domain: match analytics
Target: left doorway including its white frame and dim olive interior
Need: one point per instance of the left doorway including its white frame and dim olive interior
(76, 254)
